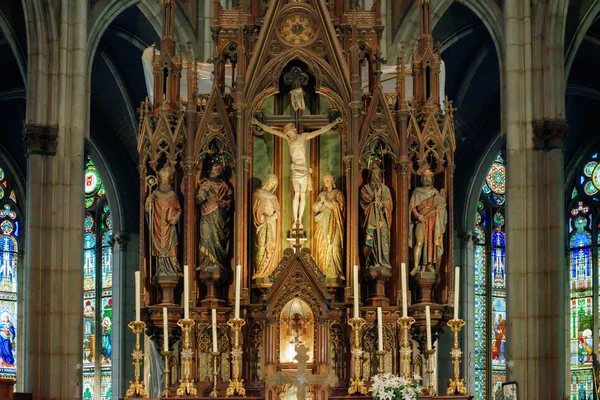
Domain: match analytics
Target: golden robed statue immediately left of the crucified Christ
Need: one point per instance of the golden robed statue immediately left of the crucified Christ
(265, 207)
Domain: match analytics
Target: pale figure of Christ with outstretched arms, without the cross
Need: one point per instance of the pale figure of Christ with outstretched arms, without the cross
(299, 171)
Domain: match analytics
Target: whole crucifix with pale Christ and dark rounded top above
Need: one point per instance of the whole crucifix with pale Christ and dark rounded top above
(292, 124)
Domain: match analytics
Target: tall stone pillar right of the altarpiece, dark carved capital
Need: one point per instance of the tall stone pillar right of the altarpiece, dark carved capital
(536, 270)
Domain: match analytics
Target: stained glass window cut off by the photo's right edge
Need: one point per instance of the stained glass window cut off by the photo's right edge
(582, 234)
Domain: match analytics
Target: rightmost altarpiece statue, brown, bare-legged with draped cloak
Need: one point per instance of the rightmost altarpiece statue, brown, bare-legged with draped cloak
(429, 217)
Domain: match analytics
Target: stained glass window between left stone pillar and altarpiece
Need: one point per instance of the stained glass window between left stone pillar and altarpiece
(97, 288)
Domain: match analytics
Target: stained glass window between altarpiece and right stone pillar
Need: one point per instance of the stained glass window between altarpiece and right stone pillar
(490, 284)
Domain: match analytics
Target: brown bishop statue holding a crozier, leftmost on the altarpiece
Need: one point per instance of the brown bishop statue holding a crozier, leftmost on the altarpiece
(163, 209)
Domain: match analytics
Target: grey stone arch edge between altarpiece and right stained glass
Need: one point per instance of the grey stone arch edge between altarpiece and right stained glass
(466, 243)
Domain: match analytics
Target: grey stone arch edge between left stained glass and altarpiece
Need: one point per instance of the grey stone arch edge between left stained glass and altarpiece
(124, 265)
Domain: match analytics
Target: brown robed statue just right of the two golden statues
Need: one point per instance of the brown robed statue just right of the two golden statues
(376, 202)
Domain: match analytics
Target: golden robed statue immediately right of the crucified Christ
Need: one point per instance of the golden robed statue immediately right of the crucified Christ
(329, 228)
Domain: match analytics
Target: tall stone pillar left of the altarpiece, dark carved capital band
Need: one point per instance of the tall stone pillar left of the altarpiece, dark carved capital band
(54, 137)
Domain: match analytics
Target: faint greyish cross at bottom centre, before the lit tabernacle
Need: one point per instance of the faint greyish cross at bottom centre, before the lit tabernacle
(302, 378)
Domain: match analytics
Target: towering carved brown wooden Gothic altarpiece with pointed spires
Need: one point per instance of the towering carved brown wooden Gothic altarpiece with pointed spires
(305, 64)
